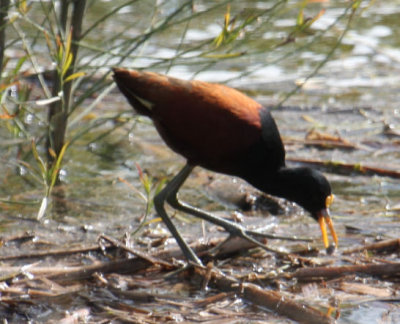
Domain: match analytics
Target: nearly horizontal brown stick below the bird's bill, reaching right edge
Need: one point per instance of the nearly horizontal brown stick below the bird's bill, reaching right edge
(383, 269)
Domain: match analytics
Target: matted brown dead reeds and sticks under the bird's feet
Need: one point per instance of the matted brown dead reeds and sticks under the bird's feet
(151, 288)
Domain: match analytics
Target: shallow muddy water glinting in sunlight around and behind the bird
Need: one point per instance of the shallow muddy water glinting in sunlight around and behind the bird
(354, 96)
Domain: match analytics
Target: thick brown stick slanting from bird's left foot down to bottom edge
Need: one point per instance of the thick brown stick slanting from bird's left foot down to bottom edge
(272, 300)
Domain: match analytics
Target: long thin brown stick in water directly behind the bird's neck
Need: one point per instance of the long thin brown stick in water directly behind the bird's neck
(342, 167)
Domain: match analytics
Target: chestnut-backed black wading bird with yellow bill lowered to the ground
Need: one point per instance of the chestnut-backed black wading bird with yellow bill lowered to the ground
(221, 129)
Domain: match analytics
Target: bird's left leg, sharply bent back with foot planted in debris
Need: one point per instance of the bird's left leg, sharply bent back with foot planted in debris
(172, 187)
